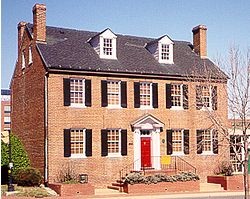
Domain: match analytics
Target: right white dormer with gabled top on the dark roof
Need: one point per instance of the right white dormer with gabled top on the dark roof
(162, 49)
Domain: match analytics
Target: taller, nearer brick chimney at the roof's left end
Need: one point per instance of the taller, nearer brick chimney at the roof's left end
(39, 22)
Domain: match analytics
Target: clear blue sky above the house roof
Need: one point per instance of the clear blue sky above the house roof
(228, 22)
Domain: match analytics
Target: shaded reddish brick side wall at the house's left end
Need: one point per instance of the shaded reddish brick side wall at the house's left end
(28, 103)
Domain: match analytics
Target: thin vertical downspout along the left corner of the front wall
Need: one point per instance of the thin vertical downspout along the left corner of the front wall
(46, 128)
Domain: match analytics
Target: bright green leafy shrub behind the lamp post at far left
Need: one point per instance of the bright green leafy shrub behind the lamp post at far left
(19, 156)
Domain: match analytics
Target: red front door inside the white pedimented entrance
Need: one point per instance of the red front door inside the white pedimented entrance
(145, 152)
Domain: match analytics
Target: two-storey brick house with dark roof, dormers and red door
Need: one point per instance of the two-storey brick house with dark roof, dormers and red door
(104, 101)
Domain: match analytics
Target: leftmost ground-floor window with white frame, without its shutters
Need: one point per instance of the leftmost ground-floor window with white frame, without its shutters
(77, 143)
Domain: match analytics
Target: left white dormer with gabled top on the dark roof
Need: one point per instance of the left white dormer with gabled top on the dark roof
(104, 44)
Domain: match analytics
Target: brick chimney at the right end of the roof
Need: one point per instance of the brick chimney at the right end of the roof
(200, 40)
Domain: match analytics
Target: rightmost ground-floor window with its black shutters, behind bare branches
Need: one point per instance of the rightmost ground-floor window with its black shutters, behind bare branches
(207, 141)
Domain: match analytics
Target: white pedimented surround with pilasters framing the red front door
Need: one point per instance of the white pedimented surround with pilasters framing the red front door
(153, 127)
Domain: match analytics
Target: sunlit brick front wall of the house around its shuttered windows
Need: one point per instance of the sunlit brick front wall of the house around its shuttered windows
(107, 169)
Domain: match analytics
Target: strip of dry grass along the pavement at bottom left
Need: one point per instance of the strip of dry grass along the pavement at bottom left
(27, 191)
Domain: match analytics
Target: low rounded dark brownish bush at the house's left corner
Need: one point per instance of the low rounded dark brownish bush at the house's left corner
(28, 177)
